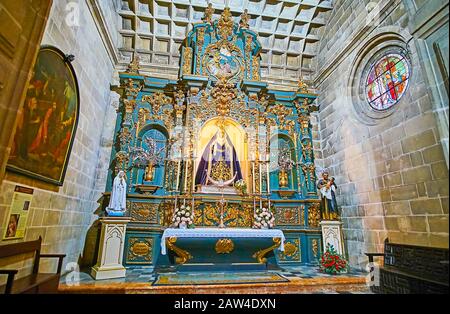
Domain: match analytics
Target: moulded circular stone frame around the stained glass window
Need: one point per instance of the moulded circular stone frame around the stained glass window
(385, 41)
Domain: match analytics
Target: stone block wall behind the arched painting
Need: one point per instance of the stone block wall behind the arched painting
(63, 215)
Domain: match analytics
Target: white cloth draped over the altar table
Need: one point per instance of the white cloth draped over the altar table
(221, 233)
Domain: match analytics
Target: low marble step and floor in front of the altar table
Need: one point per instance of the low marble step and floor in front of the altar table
(299, 279)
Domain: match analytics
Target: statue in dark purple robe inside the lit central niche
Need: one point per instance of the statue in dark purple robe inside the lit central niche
(219, 160)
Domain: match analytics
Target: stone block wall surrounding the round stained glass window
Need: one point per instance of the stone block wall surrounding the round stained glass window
(392, 175)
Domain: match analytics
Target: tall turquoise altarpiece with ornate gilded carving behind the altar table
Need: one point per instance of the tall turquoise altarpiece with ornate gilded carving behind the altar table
(219, 94)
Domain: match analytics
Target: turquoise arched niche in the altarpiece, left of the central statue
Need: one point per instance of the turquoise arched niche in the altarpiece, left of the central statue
(153, 174)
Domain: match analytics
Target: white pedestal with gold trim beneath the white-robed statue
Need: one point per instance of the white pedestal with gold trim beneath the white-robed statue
(110, 253)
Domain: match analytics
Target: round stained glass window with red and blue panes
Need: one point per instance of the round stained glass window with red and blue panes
(387, 81)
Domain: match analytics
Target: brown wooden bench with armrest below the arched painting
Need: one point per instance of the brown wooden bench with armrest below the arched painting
(36, 282)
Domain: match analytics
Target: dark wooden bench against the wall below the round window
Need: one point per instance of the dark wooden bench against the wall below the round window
(410, 269)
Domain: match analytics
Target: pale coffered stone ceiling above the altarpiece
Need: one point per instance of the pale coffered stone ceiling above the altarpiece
(289, 31)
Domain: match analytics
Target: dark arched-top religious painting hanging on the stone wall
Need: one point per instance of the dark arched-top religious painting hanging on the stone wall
(46, 127)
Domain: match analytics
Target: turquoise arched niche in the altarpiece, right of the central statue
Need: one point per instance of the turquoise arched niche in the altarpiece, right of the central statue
(278, 143)
